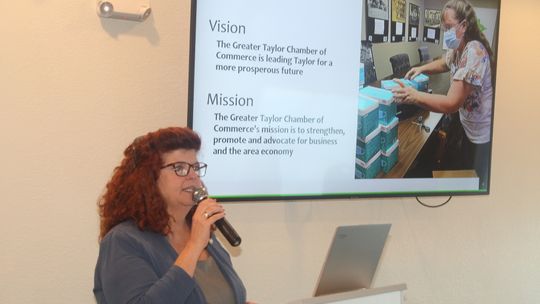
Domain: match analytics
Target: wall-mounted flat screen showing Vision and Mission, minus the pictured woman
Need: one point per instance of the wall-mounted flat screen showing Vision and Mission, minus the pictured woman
(291, 101)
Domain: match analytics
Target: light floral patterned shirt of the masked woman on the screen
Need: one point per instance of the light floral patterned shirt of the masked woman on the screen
(473, 66)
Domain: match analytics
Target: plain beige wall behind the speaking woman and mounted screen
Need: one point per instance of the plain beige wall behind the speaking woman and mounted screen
(75, 90)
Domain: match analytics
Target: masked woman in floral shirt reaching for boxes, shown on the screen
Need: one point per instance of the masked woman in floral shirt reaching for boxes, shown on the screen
(471, 64)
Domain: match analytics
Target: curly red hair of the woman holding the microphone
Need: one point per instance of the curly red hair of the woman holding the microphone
(132, 192)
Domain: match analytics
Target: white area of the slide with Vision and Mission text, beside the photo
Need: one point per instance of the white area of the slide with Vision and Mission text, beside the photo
(276, 101)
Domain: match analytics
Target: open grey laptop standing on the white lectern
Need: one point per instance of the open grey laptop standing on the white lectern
(352, 259)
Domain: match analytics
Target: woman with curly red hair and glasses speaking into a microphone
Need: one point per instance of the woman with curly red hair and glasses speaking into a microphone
(155, 245)
